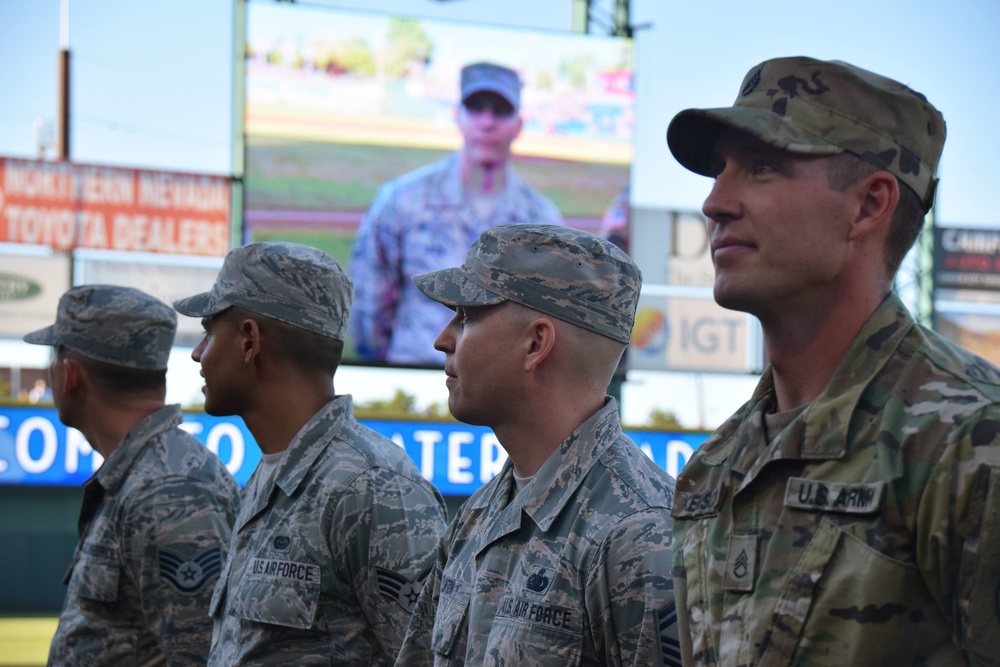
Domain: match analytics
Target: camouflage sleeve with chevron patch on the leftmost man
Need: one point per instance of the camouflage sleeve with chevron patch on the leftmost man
(175, 541)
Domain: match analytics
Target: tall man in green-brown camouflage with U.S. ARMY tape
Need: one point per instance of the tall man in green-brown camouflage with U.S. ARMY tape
(849, 513)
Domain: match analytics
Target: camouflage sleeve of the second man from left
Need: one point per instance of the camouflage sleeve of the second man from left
(387, 528)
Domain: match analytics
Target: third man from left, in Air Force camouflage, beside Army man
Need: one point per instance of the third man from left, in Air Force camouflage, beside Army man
(564, 558)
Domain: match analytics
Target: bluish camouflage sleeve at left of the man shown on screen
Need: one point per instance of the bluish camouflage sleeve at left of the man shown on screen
(375, 271)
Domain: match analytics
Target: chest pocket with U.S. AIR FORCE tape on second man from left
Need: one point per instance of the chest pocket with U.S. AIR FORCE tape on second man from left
(279, 600)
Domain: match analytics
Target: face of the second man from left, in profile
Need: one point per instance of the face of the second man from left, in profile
(219, 353)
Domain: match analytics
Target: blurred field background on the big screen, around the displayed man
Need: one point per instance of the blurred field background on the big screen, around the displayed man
(340, 102)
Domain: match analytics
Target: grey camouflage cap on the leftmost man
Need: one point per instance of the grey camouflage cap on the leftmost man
(118, 325)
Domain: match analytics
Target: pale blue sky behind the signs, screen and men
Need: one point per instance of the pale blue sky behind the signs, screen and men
(152, 87)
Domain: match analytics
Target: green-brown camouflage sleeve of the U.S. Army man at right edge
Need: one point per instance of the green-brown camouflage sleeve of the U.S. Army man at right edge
(958, 532)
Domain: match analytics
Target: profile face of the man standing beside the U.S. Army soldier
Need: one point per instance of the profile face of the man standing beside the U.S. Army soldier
(481, 346)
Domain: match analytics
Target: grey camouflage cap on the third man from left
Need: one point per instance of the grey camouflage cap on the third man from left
(560, 271)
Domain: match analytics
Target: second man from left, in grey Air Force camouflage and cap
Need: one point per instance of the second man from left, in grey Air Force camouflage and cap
(338, 530)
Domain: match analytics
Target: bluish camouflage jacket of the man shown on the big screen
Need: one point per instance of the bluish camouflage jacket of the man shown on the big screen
(422, 221)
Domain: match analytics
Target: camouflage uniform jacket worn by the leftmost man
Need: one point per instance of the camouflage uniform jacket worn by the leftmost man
(154, 527)
